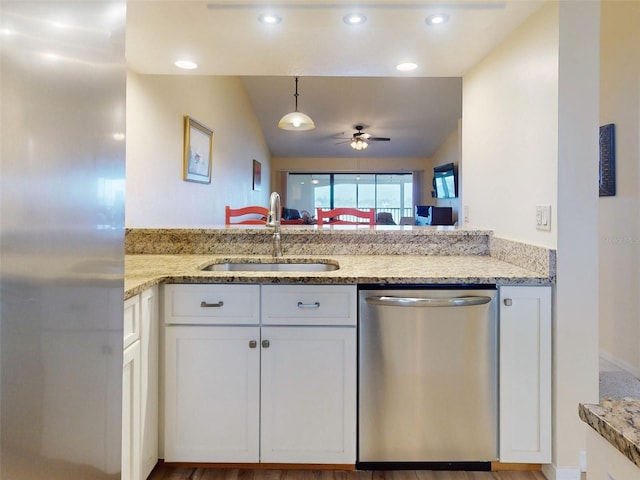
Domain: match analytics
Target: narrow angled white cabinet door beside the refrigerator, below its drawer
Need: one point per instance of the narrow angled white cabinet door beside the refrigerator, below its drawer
(131, 412)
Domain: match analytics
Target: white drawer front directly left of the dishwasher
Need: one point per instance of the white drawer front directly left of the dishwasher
(309, 305)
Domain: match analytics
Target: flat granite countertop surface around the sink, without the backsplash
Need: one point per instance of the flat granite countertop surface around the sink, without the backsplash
(143, 271)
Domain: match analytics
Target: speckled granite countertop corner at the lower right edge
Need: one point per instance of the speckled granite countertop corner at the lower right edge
(618, 422)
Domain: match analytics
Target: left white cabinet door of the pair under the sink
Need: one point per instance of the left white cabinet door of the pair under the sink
(212, 394)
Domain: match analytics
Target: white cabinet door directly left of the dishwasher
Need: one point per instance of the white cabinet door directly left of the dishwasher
(308, 395)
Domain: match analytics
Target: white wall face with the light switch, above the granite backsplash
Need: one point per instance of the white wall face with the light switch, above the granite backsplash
(510, 139)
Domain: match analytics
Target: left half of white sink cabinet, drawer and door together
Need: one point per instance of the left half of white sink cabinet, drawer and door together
(212, 373)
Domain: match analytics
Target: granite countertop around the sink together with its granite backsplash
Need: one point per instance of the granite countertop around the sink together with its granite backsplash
(389, 254)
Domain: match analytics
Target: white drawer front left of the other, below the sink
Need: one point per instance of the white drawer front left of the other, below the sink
(212, 304)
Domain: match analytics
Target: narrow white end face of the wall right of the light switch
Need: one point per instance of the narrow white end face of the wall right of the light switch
(576, 303)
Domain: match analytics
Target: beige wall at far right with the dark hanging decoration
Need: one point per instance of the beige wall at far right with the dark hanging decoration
(619, 216)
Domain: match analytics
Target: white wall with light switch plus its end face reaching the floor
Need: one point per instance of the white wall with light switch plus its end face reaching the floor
(530, 122)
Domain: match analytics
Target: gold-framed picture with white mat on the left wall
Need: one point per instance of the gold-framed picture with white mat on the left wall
(198, 151)
